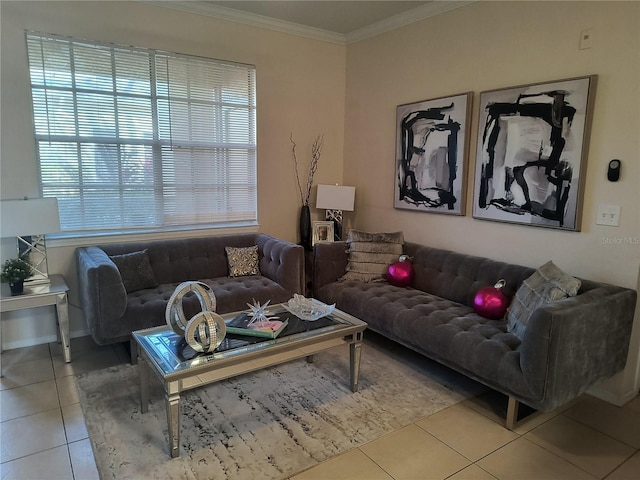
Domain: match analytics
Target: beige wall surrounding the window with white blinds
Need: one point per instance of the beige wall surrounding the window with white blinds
(300, 90)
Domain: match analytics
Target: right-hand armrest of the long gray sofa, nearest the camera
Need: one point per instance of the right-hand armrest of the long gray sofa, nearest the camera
(571, 344)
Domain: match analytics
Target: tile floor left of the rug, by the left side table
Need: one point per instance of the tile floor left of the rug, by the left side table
(43, 433)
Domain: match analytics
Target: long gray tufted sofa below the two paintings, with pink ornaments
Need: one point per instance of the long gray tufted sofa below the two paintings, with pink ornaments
(568, 345)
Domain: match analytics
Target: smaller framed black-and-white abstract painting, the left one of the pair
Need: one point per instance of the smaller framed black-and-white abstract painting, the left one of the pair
(431, 154)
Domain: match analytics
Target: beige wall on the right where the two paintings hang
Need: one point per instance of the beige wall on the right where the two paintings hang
(489, 45)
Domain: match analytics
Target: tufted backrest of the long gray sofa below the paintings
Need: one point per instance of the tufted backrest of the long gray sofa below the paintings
(457, 276)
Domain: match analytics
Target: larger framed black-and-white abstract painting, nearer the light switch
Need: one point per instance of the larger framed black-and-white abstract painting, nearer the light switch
(531, 153)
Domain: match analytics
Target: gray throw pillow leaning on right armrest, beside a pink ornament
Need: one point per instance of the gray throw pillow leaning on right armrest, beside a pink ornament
(547, 284)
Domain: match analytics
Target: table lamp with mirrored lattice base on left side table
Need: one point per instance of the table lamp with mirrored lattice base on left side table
(29, 220)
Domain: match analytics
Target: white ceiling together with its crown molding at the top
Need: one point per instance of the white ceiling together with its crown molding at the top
(335, 21)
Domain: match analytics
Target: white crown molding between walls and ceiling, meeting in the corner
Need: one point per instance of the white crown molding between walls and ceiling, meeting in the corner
(427, 10)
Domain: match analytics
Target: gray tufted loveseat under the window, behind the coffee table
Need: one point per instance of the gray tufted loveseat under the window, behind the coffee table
(112, 313)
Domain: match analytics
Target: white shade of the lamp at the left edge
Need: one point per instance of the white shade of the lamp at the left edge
(29, 217)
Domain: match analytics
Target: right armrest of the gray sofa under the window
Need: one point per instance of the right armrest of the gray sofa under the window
(282, 262)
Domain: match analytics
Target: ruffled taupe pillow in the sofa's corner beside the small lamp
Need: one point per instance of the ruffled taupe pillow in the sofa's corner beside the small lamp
(370, 255)
